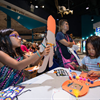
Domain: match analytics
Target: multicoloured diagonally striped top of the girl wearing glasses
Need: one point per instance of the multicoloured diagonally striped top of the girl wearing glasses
(10, 76)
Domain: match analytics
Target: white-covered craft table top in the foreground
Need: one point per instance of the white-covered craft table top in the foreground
(48, 87)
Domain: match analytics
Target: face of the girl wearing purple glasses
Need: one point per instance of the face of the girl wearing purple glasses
(15, 39)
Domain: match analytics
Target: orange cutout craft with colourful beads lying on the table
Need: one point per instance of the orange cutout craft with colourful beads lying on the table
(79, 85)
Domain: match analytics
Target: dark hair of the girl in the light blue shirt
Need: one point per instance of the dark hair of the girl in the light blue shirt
(95, 41)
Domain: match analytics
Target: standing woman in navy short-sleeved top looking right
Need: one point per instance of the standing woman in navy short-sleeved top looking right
(64, 41)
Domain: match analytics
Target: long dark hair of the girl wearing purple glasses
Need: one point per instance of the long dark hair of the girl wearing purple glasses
(6, 45)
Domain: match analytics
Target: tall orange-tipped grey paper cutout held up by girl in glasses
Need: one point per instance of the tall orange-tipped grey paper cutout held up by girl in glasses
(50, 39)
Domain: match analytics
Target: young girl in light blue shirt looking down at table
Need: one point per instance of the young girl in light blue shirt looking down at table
(92, 59)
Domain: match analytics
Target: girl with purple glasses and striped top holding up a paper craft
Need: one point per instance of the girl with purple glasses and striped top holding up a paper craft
(11, 58)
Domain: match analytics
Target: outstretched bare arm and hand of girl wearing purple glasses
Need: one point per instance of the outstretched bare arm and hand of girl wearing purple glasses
(11, 62)
